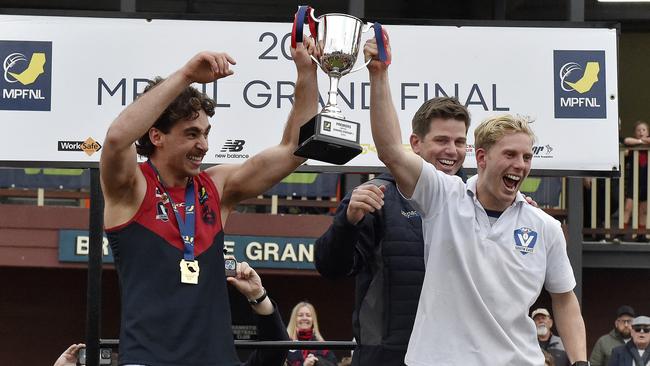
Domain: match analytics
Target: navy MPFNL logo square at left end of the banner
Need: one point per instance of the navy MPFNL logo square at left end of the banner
(27, 75)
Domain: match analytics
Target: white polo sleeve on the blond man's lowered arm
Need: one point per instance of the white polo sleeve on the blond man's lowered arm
(559, 273)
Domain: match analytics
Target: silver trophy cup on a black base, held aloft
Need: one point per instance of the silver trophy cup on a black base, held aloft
(329, 136)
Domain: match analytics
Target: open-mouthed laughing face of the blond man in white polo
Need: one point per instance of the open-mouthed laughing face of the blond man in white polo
(502, 168)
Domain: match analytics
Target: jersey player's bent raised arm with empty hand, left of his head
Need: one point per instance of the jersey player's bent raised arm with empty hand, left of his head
(122, 182)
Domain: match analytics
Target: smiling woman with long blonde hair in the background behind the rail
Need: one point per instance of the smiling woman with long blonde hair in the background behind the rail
(303, 326)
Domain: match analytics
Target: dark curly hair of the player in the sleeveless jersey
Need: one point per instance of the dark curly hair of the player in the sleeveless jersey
(185, 107)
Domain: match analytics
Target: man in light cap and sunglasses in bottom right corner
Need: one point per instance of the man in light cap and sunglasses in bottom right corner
(634, 353)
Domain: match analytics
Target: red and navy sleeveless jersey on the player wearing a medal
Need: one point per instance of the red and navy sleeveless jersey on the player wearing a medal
(166, 322)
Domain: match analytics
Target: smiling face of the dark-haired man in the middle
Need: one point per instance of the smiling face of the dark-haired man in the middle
(444, 145)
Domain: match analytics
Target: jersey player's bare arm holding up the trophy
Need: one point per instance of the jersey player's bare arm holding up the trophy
(263, 170)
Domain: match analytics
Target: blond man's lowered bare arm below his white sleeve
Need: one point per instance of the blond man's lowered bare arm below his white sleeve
(570, 325)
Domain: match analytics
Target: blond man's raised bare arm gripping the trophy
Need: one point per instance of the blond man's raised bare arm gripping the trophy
(404, 165)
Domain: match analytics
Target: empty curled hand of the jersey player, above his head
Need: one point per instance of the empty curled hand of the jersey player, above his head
(206, 67)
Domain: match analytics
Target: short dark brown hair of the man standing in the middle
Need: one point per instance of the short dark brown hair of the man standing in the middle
(441, 107)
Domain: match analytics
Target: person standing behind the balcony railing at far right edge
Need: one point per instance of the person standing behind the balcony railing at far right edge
(640, 138)
